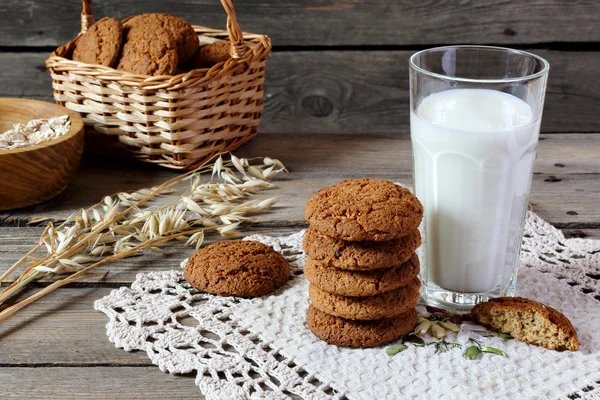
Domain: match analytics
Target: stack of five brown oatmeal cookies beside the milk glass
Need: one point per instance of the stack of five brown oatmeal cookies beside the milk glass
(361, 263)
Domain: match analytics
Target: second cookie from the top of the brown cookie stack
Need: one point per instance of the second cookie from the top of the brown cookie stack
(360, 255)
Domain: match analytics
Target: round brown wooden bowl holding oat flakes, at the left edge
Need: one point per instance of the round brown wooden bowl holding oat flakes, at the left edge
(32, 174)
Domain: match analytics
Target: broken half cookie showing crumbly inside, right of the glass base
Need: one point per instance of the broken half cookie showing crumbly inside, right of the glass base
(528, 321)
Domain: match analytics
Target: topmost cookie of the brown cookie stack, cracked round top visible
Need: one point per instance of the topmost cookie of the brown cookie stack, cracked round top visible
(364, 209)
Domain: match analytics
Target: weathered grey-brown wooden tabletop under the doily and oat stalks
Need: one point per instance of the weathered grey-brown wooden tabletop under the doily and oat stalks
(57, 347)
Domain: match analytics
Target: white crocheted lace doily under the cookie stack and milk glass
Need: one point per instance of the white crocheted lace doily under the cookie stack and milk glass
(261, 348)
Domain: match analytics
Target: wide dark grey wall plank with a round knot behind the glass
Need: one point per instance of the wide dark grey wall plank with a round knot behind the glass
(354, 91)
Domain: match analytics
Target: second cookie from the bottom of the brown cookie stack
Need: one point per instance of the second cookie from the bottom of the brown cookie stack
(385, 305)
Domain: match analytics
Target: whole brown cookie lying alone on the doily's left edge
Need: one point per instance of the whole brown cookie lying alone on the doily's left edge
(237, 268)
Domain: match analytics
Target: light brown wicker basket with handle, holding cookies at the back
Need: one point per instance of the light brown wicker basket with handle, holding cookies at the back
(173, 121)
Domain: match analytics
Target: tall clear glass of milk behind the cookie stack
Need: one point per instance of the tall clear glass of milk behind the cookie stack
(475, 114)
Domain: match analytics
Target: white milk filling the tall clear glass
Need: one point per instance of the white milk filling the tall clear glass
(474, 151)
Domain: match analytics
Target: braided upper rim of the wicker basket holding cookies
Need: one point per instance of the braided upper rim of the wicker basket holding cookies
(58, 63)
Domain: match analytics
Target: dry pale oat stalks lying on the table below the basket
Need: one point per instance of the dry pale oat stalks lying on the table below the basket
(122, 225)
